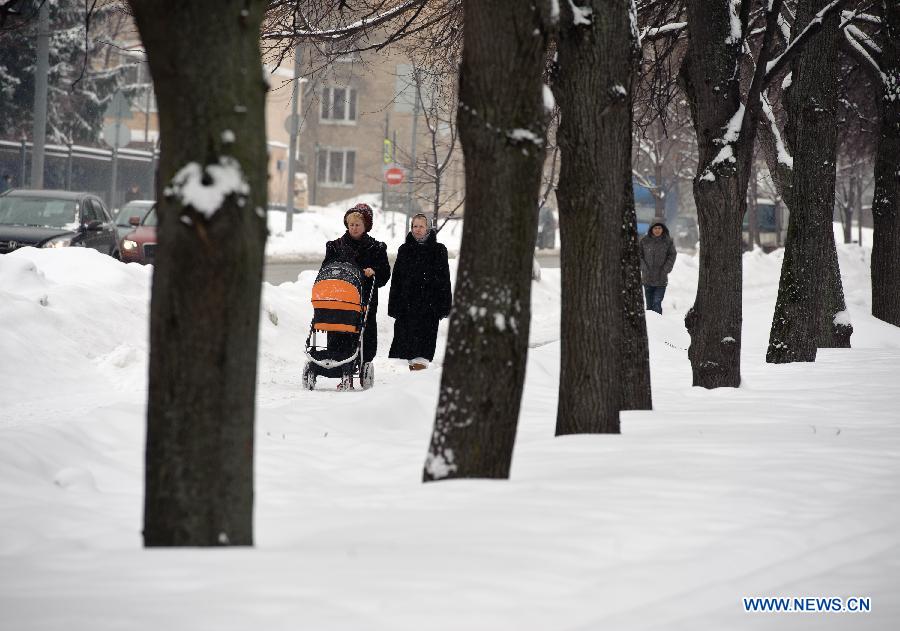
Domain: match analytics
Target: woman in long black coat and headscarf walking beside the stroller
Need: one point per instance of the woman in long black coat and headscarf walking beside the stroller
(420, 295)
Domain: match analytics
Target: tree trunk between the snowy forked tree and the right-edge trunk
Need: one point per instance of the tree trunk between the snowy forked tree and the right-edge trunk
(806, 316)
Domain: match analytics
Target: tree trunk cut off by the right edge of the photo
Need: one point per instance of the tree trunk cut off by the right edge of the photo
(886, 199)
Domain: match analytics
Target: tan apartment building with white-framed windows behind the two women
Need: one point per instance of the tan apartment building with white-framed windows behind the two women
(359, 118)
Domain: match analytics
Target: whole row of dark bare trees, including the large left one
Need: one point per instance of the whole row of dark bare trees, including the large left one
(205, 304)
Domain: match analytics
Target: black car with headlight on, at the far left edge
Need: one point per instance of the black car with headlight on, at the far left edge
(55, 219)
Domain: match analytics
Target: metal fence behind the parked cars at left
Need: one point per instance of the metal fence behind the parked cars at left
(80, 168)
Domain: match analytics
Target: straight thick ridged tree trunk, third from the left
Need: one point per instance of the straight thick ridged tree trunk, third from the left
(596, 63)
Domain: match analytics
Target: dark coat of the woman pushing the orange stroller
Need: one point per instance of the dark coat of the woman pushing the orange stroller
(364, 252)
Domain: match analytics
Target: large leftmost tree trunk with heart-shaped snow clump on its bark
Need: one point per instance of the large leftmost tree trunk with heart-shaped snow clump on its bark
(204, 315)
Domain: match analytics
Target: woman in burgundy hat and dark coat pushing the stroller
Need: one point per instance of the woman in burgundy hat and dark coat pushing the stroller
(370, 256)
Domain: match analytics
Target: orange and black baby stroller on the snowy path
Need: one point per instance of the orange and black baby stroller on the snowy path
(339, 308)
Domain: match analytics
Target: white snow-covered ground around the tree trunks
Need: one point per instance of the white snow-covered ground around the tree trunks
(787, 486)
